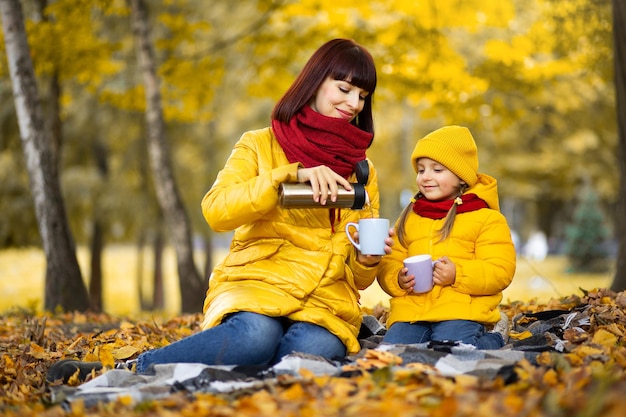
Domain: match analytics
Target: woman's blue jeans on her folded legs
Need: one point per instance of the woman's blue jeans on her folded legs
(245, 338)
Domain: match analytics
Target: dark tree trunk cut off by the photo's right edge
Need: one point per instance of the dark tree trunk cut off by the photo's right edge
(619, 35)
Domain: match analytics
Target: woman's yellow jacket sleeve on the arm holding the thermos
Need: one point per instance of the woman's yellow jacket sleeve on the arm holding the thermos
(244, 191)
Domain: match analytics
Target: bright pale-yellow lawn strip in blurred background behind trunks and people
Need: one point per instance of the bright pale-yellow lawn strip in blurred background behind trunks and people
(23, 269)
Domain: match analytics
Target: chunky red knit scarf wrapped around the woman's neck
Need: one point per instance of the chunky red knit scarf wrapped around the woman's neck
(313, 139)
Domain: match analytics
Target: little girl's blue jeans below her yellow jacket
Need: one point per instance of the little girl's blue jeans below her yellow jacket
(465, 331)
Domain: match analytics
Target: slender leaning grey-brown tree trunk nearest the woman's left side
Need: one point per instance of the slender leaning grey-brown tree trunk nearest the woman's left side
(190, 283)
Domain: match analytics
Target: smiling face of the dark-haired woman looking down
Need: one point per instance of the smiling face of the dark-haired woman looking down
(339, 99)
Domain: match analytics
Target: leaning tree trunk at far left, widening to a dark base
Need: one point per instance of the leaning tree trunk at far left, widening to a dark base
(64, 286)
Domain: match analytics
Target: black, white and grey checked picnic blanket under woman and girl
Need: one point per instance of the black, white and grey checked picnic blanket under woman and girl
(543, 331)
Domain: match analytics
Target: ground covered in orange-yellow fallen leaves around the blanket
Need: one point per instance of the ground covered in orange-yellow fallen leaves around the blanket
(587, 379)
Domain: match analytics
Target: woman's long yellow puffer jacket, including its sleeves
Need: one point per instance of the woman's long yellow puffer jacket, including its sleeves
(293, 263)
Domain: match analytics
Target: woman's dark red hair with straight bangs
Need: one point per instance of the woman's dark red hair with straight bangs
(340, 59)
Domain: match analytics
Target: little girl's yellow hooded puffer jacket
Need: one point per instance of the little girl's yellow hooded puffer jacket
(480, 245)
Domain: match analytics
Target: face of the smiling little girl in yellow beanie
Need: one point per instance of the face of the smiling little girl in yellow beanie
(435, 181)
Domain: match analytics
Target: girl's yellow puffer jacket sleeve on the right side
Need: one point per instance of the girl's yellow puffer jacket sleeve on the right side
(493, 269)
